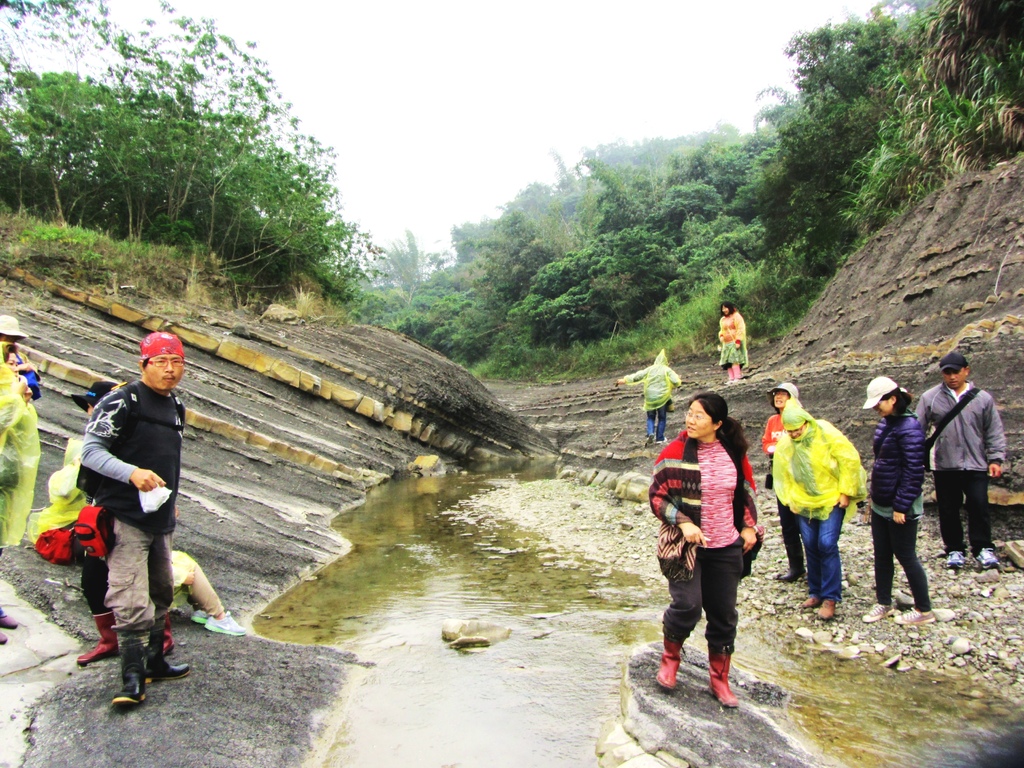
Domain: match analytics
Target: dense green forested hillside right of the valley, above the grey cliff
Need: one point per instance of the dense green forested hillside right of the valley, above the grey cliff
(633, 248)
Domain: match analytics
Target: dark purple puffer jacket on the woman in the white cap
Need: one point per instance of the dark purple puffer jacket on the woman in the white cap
(900, 462)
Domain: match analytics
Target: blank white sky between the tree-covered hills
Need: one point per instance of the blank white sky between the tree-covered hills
(441, 112)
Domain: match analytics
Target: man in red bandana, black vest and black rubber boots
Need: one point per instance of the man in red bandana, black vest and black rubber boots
(134, 441)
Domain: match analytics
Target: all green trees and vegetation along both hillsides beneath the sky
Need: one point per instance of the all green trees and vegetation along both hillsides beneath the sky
(180, 147)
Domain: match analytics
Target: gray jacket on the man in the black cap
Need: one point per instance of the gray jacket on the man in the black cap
(973, 440)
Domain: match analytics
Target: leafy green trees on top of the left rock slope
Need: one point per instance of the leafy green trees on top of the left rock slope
(180, 140)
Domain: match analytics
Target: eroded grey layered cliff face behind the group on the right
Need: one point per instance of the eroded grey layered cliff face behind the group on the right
(949, 275)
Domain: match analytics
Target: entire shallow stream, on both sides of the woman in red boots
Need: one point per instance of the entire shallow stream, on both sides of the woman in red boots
(541, 698)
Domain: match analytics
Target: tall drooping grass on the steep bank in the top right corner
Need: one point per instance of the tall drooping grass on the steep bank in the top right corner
(962, 109)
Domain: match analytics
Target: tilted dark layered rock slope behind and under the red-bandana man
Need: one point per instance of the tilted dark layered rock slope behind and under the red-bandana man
(269, 461)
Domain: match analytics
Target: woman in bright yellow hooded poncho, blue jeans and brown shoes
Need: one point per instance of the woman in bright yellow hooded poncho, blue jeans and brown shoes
(818, 475)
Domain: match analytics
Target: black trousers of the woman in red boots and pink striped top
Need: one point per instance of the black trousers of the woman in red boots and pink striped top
(716, 578)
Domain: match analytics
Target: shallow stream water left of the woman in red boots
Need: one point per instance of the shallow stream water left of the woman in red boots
(538, 699)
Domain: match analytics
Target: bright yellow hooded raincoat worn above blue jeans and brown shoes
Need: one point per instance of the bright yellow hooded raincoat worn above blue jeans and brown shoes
(813, 472)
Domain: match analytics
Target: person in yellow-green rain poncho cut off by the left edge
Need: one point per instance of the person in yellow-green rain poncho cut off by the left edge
(19, 461)
